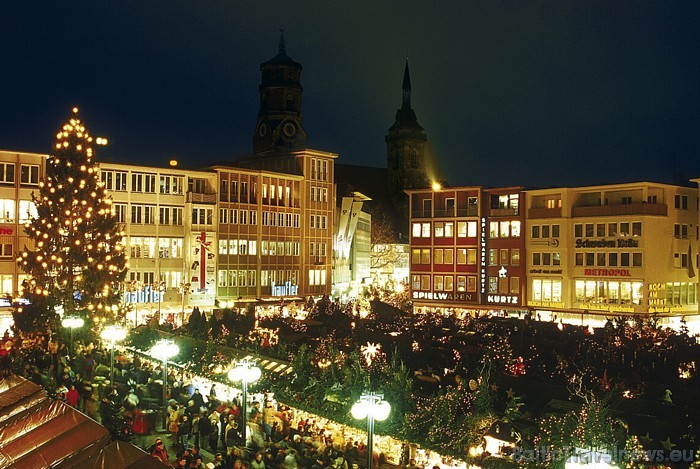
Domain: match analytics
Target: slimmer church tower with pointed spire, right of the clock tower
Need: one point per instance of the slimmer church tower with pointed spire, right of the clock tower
(407, 167)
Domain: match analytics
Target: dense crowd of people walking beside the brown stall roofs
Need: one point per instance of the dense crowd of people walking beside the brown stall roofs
(273, 438)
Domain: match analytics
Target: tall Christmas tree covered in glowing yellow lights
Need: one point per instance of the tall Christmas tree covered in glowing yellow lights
(77, 260)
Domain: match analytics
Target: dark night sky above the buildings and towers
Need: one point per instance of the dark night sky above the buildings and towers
(509, 92)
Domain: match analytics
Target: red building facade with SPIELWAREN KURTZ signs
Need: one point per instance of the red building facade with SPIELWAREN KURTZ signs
(466, 248)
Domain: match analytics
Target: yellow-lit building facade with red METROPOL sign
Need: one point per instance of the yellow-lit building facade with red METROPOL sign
(613, 249)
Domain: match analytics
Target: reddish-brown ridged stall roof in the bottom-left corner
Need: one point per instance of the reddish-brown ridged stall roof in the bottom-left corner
(39, 432)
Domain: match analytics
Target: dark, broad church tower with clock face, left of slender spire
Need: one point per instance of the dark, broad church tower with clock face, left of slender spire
(279, 118)
